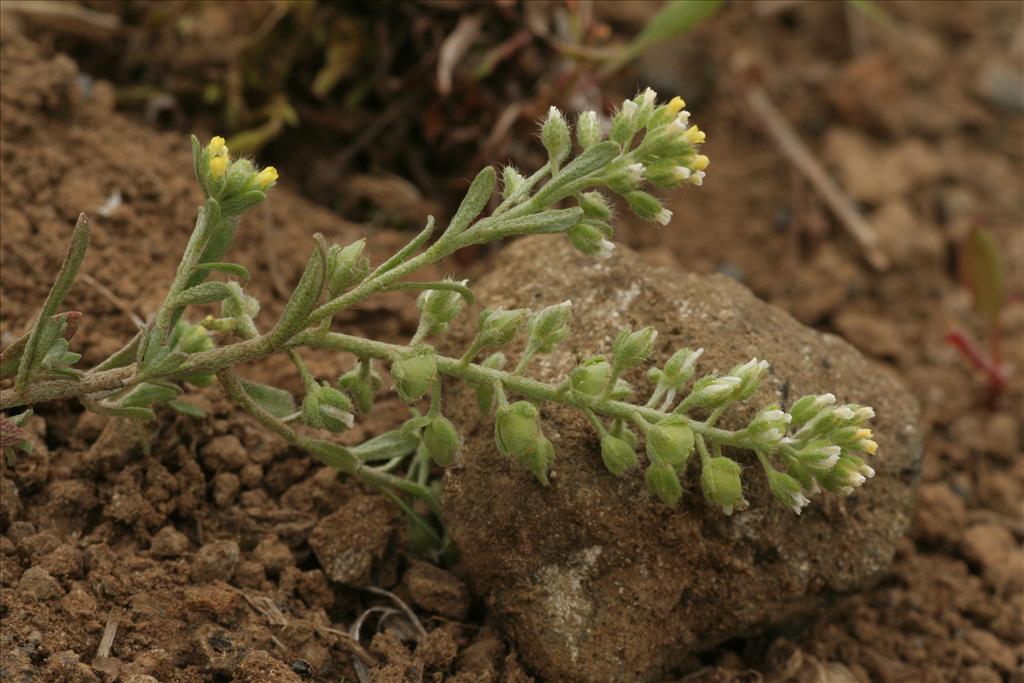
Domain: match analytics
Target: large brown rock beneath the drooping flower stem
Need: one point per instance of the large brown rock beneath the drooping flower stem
(596, 582)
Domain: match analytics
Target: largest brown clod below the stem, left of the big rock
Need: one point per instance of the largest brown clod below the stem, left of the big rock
(350, 542)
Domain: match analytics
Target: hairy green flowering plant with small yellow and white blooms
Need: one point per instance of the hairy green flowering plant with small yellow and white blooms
(818, 445)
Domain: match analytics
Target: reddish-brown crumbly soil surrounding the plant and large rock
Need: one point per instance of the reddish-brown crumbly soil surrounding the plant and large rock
(198, 561)
